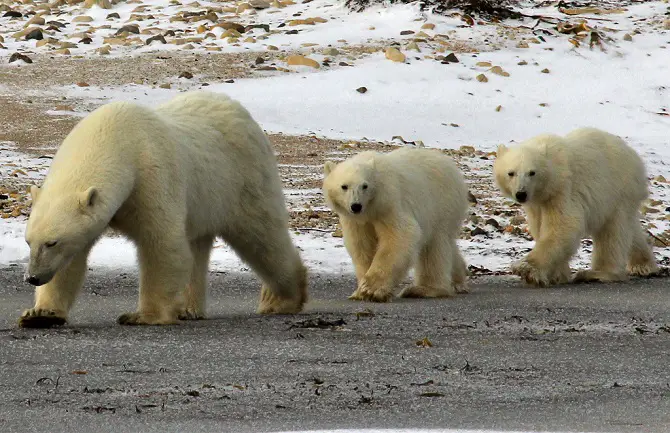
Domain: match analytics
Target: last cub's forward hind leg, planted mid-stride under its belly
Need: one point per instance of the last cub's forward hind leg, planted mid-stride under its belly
(611, 249)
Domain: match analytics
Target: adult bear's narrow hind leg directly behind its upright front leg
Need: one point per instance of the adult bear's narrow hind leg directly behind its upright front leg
(195, 295)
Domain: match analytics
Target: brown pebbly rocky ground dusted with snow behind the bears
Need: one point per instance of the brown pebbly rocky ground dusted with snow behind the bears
(76, 43)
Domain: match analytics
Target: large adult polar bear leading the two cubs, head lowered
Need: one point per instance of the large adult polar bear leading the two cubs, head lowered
(171, 180)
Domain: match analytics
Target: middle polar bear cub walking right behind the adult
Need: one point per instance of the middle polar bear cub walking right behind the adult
(399, 210)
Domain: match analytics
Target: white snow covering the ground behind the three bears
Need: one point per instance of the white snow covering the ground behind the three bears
(622, 90)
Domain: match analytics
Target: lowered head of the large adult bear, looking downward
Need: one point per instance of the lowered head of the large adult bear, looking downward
(59, 227)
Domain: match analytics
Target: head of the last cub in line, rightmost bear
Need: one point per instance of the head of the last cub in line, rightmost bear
(525, 172)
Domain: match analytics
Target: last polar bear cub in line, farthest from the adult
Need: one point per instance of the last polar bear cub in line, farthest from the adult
(588, 183)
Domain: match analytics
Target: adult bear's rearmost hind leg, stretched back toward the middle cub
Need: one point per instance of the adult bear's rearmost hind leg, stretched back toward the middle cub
(270, 253)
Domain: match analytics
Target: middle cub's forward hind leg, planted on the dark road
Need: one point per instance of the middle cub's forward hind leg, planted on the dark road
(434, 271)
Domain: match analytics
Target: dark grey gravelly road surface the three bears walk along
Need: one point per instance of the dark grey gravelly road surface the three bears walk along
(588, 357)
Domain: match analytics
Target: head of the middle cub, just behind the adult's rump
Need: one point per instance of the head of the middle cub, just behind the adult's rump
(349, 187)
